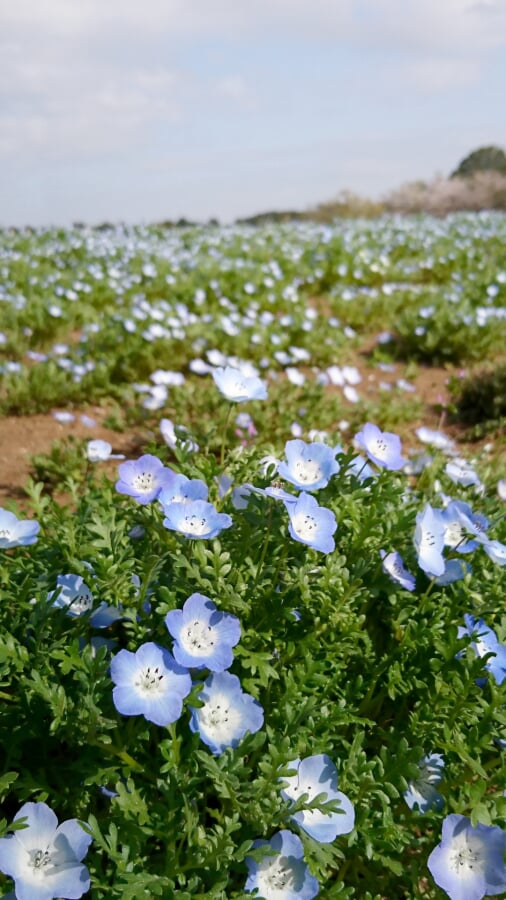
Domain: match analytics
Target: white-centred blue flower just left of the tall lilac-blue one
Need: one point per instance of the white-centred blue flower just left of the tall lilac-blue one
(308, 466)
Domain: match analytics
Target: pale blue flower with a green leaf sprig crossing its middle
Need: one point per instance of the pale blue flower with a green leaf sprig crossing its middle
(318, 775)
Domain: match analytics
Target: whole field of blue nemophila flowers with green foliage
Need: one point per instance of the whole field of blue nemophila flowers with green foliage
(263, 652)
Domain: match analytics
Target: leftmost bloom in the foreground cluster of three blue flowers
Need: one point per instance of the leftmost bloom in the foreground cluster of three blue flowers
(149, 683)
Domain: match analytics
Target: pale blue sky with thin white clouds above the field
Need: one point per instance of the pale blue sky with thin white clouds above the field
(122, 110)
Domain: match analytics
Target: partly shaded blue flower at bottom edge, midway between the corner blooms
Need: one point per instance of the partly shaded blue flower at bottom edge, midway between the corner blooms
(284, 876)
